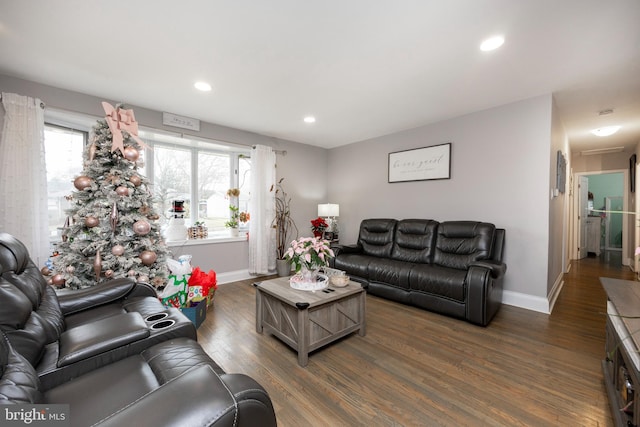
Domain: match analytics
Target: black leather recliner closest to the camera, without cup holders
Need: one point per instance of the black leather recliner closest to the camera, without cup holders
(173, 383)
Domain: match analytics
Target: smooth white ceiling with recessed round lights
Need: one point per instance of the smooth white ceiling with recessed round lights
(363, 68)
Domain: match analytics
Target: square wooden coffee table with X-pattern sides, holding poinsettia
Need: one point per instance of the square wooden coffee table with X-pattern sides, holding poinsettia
(309, 320)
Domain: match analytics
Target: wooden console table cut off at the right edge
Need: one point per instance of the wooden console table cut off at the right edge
(621, 366)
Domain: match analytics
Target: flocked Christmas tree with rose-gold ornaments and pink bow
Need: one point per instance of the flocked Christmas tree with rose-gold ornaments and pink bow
(112, 229)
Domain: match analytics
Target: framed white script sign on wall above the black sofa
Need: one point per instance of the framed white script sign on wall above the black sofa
(421, 164)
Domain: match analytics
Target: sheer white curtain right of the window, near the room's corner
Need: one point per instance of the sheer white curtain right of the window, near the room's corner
(262, 254)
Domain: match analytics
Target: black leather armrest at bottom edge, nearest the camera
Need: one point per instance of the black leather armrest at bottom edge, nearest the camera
(207, 398)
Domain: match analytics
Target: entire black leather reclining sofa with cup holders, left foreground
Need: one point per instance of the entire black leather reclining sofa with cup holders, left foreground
(112, 352)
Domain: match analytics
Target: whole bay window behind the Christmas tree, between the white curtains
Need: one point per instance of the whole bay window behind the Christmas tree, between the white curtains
(191, 169)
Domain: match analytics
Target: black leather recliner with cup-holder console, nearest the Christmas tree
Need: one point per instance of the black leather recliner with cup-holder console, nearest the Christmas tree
(67, 336)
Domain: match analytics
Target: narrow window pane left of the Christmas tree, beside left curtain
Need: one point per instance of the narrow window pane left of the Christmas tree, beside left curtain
(63, 158)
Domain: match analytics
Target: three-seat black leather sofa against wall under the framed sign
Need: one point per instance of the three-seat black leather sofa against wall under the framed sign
(453, 268)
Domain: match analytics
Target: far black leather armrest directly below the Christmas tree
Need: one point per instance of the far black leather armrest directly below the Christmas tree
(76, 301)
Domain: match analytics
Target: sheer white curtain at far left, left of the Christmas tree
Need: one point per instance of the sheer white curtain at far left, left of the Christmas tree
(23, 175)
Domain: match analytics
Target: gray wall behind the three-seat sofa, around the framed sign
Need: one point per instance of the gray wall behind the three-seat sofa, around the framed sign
(500, 174)
